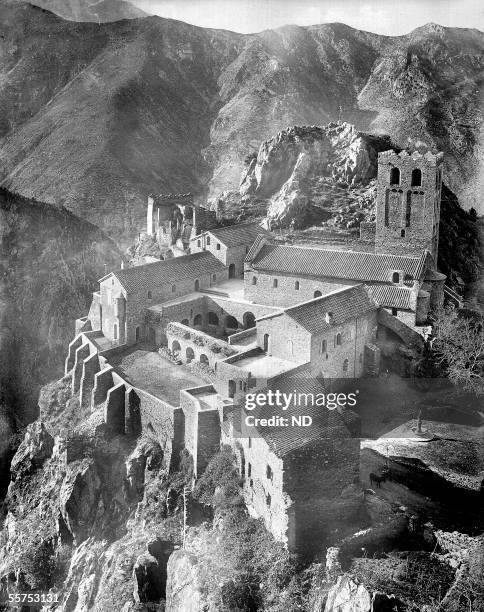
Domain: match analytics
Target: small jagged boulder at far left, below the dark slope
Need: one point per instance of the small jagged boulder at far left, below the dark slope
(34, 450)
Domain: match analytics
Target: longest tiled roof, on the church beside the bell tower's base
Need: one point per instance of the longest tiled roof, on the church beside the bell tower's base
(351, 265)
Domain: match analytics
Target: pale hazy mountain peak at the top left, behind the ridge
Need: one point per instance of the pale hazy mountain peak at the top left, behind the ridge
(98, 11)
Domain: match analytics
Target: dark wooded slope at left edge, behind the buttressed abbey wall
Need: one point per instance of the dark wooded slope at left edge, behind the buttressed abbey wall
(49, 264)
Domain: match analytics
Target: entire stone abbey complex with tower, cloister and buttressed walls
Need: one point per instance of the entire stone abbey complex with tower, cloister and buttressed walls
(238, 312)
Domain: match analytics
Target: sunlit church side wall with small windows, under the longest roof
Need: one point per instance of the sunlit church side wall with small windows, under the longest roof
(286, 293)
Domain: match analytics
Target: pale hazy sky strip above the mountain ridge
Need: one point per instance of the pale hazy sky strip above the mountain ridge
(391, 17)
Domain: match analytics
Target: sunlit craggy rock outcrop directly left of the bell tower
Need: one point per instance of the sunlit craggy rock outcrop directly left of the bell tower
(309, 175)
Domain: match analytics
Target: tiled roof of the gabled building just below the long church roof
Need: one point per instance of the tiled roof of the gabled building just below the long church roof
(344, 304)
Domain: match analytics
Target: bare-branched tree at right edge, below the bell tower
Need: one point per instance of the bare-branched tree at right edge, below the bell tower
(458, 347)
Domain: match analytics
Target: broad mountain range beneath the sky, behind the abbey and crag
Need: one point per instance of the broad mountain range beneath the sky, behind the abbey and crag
(97, 116)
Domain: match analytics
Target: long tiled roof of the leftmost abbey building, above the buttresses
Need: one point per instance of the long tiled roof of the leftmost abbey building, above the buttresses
(167, 271)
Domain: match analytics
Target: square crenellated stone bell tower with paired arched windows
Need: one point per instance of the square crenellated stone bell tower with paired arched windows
(408, 203)
